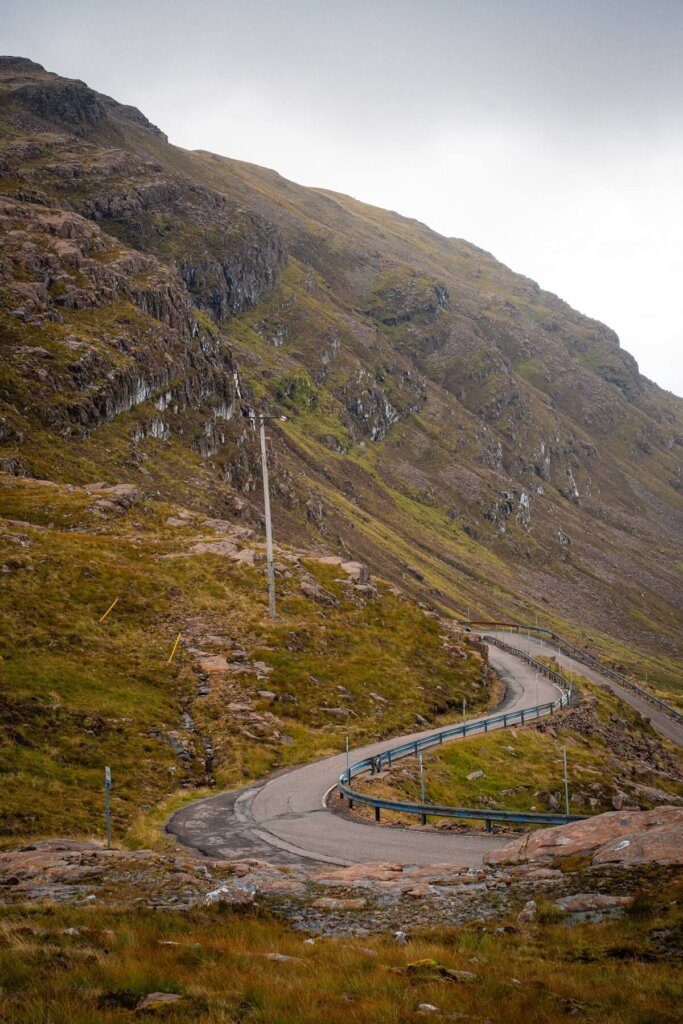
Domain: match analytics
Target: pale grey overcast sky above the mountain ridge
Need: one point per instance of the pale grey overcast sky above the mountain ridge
(549, 133)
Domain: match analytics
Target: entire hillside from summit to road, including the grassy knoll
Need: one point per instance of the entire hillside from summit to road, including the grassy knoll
(434, 414)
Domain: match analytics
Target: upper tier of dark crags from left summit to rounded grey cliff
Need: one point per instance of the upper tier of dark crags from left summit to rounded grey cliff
(231, 260)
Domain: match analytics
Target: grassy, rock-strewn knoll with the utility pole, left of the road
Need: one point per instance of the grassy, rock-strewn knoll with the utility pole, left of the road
(242, 697)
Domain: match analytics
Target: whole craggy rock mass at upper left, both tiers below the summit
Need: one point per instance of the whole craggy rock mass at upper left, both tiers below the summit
(108, 254)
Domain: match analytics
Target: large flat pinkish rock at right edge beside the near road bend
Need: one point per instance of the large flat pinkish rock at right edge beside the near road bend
(626, 837)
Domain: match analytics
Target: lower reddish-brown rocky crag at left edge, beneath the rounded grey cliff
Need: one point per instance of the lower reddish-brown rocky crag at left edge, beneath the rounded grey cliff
(57, 264)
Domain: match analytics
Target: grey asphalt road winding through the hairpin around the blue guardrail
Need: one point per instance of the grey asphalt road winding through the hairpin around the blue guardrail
(286, 820)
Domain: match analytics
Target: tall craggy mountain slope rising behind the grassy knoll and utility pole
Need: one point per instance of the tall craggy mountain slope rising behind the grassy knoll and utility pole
(467, 434)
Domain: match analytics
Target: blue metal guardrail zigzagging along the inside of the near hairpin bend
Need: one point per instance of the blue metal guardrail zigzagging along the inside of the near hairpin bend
(388, 758)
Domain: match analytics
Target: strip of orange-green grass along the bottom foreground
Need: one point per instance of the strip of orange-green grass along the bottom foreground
(620, 971)
